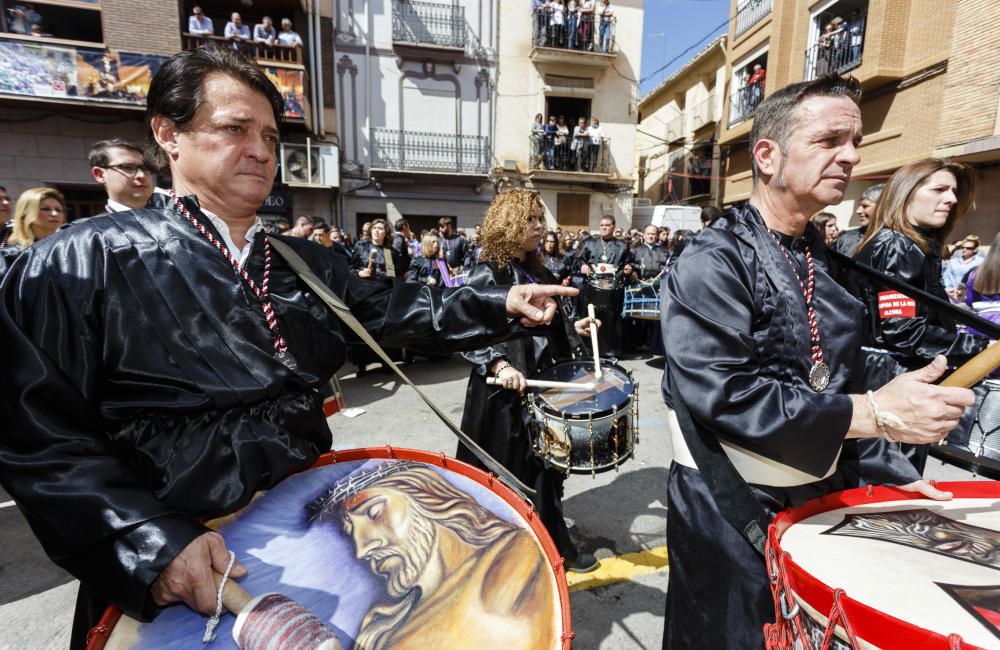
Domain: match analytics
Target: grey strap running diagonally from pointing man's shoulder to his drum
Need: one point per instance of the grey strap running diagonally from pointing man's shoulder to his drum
(344, 312)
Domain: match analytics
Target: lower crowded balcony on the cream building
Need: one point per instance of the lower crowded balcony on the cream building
(552, 159)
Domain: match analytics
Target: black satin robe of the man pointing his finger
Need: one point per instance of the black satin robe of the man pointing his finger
(141, 392)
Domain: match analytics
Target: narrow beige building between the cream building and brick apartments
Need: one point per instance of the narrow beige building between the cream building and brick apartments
(677, 140)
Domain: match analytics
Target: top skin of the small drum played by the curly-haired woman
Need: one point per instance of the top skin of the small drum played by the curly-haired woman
(614, 389)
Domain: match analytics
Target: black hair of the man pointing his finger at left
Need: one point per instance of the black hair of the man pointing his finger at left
(176, 91)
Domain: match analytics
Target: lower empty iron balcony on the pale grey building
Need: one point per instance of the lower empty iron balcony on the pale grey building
(435, 153)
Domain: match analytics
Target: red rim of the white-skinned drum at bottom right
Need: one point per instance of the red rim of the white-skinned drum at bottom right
(879, 628)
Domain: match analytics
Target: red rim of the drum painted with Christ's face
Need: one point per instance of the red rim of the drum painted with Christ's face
(99, 634)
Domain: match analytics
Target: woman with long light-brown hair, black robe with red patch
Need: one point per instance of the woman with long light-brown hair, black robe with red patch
(918, 208)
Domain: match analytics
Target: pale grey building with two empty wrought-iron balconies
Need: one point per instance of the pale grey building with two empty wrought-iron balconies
(415, 83)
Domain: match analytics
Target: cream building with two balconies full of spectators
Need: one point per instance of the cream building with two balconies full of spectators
(569, 66)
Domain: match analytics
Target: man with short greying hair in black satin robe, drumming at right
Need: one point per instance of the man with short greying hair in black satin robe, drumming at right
(762, 361)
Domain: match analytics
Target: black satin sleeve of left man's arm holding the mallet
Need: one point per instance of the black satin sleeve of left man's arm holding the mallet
(93, 512)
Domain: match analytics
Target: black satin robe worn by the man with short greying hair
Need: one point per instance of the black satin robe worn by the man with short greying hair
(738, 347)
